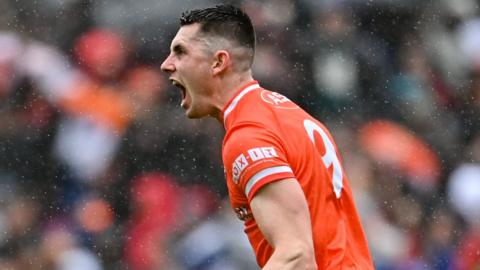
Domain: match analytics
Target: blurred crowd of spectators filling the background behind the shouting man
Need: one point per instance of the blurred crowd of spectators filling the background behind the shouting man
(100, 169)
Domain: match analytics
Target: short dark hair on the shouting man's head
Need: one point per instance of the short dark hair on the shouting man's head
(225, 21)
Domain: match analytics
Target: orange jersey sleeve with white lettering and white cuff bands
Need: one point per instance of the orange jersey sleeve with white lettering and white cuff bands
(253, 157)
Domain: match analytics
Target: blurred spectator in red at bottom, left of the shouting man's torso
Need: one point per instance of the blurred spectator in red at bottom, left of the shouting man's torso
(157, 201)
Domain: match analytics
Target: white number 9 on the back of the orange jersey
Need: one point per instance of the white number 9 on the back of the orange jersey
(330, 158)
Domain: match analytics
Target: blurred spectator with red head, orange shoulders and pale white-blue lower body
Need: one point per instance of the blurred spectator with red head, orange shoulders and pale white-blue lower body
(98, 112)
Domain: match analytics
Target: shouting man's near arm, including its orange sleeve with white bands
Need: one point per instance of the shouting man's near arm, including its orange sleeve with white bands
(258, 171)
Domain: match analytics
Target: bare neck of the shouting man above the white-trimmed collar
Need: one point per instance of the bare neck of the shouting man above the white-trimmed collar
(225, 90)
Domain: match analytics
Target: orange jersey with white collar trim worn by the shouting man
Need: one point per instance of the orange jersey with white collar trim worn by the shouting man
(269, 138)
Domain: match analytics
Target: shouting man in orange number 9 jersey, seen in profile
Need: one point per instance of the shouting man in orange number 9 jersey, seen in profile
(283, 172)
